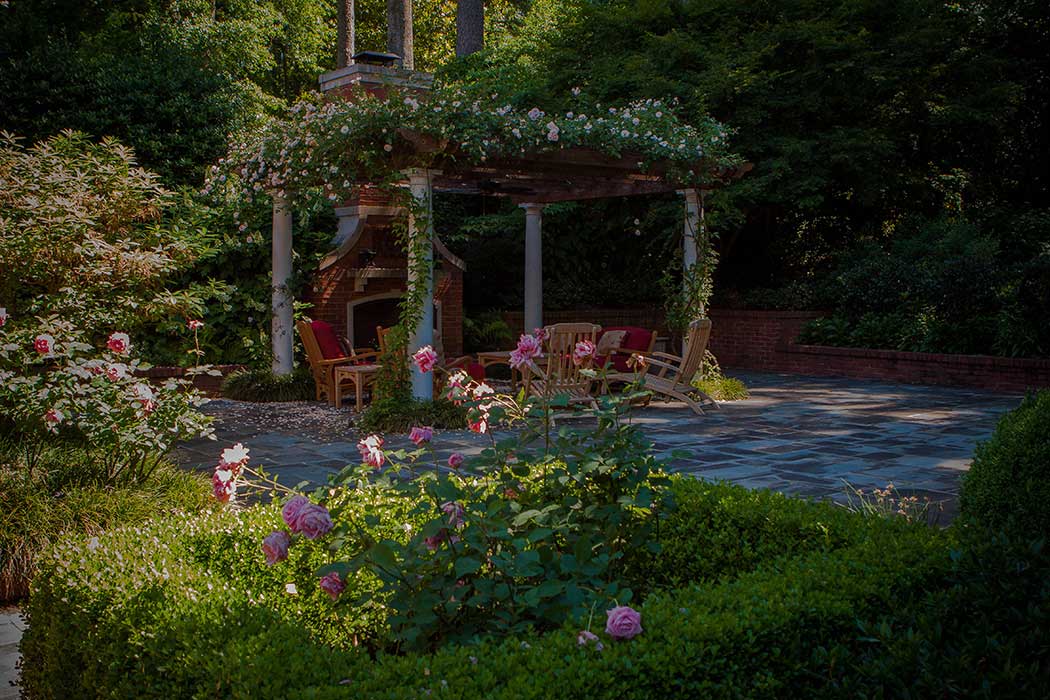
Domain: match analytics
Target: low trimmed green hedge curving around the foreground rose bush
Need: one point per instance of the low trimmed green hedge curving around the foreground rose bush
(188, 609)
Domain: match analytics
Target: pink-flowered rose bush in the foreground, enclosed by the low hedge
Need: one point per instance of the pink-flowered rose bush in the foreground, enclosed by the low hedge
(531, 535)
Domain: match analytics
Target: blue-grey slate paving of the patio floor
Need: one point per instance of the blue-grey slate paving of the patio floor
(802, 436)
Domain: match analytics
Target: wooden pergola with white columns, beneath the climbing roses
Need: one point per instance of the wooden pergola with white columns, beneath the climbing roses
(532, 181)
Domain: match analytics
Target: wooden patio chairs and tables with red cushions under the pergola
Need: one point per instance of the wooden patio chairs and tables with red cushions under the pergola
(338, 368)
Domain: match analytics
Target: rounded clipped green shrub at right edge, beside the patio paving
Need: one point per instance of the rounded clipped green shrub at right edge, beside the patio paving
(1009, 485)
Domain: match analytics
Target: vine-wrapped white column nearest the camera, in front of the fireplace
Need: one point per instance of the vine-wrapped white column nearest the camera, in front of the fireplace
(422, 273)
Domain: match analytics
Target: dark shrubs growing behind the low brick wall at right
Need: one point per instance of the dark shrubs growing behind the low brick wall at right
(943, 286)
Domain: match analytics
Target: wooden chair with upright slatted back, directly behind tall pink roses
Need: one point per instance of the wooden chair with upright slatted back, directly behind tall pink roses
(562, 376)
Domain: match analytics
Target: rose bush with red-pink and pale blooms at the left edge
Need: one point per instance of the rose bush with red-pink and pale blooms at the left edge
(52, 381)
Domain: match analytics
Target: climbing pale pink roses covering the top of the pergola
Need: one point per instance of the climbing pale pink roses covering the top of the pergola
(324, 150)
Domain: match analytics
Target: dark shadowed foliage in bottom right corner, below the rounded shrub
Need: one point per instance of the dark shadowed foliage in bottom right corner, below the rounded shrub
(983, 634)
